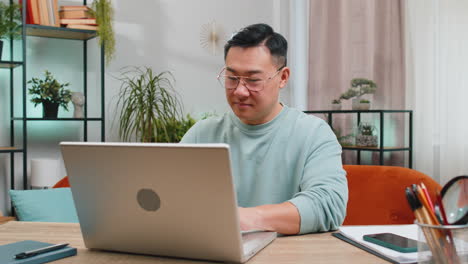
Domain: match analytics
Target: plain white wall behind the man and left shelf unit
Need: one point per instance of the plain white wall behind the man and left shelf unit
(161, 34)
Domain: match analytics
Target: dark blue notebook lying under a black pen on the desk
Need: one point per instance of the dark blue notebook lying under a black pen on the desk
(8, 252)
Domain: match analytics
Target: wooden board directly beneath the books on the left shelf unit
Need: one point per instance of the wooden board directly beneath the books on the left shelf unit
(59, 32)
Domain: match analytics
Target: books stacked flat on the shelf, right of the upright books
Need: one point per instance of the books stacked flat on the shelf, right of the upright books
(77, 17)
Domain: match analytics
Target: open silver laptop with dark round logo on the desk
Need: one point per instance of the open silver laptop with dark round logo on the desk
(174, 200)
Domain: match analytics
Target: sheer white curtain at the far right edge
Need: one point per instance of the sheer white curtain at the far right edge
(437, 60)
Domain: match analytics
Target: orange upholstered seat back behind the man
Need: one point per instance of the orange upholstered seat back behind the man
(376, 194)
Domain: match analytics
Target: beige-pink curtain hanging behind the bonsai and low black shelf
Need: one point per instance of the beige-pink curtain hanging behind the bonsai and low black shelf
(359, 39)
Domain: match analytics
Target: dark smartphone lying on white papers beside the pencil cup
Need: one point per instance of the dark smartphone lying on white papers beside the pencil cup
(393, 241)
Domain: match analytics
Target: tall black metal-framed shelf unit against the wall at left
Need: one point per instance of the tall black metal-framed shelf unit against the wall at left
(41, 31)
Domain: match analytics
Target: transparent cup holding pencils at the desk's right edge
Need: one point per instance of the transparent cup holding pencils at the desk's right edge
(445, 244)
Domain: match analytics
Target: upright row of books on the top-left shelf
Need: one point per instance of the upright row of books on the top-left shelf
(42, 12)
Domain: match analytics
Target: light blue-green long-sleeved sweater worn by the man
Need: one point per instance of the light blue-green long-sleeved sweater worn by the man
(295, 157)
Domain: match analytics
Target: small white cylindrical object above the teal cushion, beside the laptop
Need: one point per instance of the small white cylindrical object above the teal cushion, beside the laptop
(44, 173)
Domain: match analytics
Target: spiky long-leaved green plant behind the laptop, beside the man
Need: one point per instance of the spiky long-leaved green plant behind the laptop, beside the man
(150, 110)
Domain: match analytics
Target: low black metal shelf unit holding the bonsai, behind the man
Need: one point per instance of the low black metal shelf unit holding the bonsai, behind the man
(381, 148)
